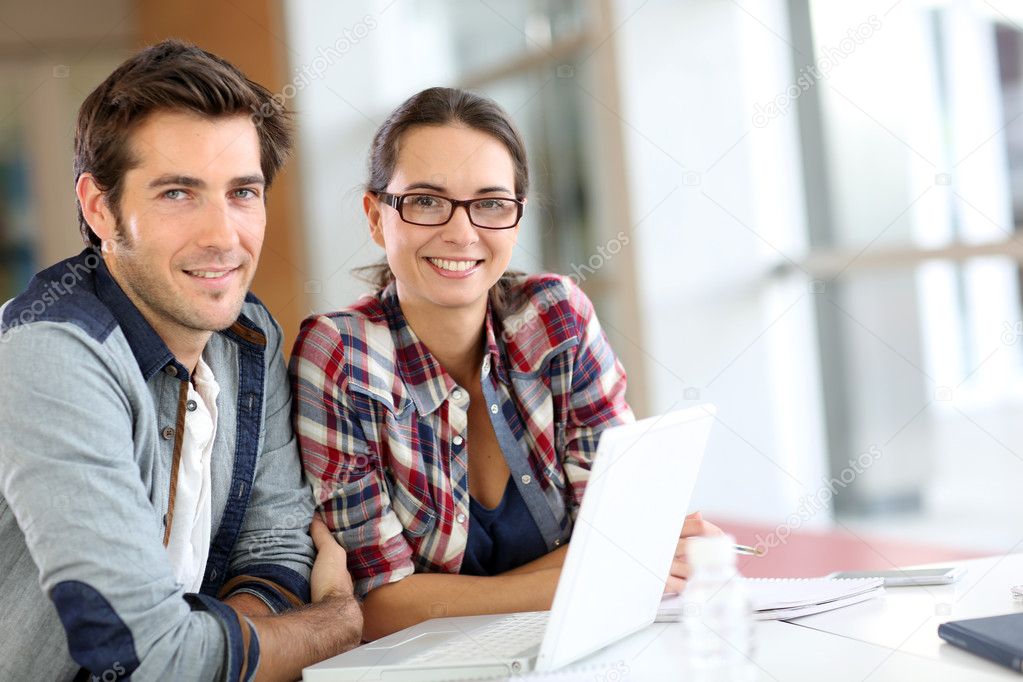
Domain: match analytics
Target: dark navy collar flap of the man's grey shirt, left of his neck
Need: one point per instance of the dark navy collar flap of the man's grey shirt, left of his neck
(150, 350)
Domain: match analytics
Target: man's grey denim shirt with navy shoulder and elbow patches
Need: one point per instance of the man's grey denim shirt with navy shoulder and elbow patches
(93, 408)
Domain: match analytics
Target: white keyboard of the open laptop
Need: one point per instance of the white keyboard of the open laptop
(503, 640)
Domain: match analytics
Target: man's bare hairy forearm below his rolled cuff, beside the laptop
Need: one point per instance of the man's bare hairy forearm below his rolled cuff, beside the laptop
(306, 635)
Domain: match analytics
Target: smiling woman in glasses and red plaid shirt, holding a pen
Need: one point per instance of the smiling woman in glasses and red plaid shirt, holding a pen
(449, 423)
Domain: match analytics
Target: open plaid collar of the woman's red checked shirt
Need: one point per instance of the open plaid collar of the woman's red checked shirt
(427, 382)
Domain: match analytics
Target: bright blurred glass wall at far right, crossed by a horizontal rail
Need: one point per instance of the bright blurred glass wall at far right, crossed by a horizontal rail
(918, 246)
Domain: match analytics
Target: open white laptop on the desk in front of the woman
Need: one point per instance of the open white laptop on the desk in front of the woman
(617, 565)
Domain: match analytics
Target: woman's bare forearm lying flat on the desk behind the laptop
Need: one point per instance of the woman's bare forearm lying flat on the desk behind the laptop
(423, 597)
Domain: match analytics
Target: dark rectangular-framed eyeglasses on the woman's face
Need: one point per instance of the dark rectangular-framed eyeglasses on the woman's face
(493, 213)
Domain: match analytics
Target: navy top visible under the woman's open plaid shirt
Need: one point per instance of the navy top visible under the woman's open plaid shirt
(503, 538)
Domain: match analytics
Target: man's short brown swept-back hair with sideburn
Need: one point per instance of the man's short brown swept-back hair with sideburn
(171, 76)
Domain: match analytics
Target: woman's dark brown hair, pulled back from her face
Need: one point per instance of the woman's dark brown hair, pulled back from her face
(441, 107)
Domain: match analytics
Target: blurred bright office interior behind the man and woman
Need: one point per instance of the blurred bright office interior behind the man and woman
(807, 212)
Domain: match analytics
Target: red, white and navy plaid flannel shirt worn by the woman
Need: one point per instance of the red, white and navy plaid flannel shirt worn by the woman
(382, 426)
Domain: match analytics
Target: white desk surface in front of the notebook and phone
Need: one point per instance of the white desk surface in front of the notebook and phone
(895, 638)
